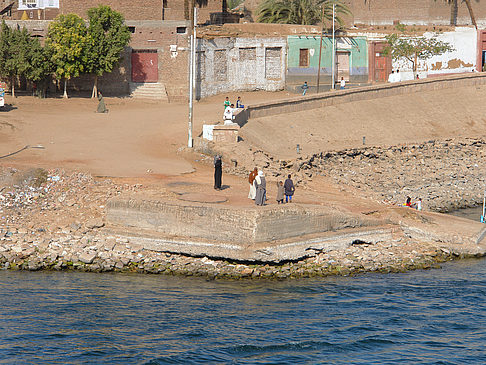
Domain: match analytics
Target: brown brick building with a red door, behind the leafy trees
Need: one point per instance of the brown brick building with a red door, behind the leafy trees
(156, 62)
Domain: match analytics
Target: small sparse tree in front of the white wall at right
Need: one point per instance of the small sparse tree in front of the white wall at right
(414, 48)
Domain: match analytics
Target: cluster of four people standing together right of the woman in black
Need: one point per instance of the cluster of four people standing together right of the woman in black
(258, 188)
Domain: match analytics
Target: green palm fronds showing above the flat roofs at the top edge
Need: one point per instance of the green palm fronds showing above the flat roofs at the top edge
(304, 12)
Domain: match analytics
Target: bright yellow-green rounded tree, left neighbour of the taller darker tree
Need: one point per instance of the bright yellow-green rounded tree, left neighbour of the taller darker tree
(66, 41)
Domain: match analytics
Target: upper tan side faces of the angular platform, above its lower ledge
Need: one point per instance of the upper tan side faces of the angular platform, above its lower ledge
(230, 224)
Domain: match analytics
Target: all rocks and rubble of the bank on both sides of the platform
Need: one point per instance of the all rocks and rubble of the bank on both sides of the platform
(53, 220)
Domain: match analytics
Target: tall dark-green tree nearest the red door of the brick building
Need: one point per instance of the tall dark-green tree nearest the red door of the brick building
(108, 36)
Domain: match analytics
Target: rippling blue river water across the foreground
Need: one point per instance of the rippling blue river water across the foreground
(419, 317)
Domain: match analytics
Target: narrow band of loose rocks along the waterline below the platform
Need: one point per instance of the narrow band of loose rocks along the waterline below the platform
(95, 252)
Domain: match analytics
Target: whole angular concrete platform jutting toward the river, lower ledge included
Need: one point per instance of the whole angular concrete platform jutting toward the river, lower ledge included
(264, 234)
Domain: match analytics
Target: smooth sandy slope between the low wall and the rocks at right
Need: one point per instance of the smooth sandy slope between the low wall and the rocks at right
(393, 120)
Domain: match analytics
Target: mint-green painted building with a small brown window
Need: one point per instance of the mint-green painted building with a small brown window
(303, 60)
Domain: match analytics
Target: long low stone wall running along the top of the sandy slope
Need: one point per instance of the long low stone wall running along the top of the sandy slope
(301, 103)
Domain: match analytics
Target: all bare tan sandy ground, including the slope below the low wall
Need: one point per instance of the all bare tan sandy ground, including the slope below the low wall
(139, 141)
